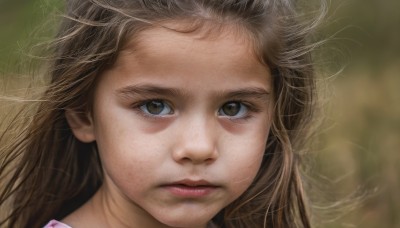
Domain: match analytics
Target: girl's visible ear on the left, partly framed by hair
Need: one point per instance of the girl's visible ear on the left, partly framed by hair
(81, 125)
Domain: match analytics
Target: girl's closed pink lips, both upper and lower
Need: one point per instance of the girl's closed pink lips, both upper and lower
(191, 188)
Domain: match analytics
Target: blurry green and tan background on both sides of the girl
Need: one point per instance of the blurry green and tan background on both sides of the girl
(359, 142)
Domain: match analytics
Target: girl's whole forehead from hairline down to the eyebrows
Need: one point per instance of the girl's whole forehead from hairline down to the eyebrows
(163, 55)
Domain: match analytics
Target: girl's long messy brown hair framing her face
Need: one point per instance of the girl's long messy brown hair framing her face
(47, 173)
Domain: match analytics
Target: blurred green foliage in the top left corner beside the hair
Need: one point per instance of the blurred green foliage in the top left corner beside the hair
(23, 24)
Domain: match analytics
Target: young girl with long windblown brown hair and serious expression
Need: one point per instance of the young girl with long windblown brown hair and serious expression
(170, 113)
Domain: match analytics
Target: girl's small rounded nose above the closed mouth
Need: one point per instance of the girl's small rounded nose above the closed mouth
(196, 142)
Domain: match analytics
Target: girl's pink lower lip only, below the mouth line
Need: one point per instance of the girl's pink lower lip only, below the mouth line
(190, 191)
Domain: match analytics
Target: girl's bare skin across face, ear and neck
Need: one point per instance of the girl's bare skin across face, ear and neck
(194, 79)
